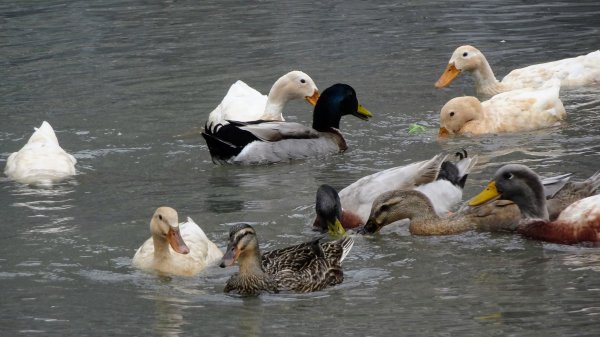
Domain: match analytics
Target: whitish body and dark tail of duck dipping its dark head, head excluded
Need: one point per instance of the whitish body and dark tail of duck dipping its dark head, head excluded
(440, 180)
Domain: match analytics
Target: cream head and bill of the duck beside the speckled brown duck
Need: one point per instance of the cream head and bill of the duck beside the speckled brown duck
(165, 227)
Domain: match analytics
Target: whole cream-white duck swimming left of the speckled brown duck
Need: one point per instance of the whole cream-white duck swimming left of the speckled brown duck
(191, 251)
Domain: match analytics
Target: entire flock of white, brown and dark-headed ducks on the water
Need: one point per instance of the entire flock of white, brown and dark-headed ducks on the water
(248, 128)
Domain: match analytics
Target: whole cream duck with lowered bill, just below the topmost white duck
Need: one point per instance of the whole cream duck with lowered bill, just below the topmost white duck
(518, 110)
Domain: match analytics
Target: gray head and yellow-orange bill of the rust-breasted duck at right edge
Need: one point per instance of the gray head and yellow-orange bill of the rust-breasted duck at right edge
(519, 184)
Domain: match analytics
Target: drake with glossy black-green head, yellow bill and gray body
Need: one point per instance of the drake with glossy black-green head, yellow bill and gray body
(261, 142)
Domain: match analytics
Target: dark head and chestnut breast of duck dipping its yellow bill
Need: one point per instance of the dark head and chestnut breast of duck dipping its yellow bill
(331, 217)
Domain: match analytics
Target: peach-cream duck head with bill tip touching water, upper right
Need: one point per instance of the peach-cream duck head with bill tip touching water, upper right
(457, 112)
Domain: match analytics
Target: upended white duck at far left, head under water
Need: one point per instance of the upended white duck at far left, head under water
(41, 161)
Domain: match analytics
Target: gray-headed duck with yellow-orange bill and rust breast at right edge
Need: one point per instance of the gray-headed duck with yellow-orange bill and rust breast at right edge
(579, 222)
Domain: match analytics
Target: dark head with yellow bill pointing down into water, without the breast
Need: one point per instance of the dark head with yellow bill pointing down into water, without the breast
(329, 210)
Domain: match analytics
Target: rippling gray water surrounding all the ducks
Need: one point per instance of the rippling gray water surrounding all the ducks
(127, 85)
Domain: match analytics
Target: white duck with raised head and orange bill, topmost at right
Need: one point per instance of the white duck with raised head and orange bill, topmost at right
(572, 72)
